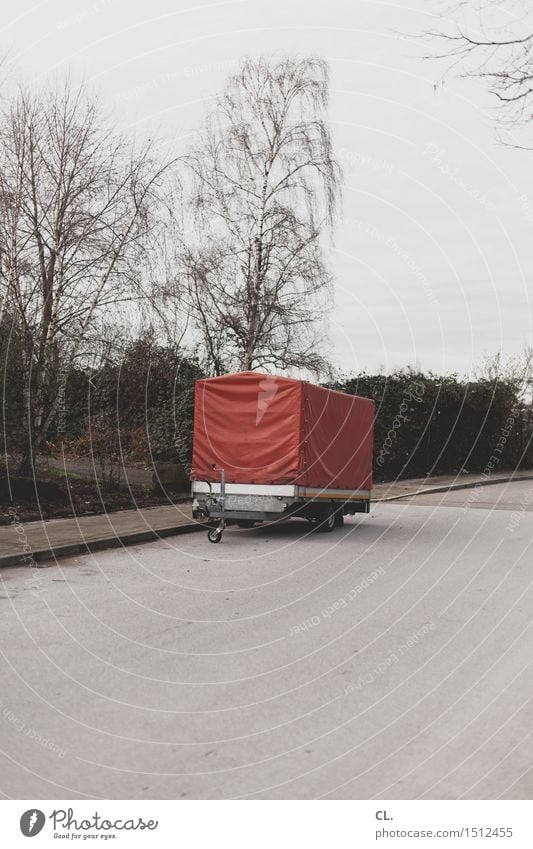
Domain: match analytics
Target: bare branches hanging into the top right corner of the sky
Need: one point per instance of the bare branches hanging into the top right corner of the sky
(492, 41)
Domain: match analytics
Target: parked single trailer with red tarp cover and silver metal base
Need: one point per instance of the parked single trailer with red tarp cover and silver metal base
(268, 448)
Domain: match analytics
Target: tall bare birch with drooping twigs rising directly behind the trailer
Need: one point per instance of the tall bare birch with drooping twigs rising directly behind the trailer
(266, 188)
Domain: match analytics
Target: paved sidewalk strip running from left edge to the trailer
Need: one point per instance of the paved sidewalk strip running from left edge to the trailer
(53, 538)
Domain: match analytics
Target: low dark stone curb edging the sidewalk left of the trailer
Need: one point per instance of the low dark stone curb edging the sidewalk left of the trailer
(121, 540)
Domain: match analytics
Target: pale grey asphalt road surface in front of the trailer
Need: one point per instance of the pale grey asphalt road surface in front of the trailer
(389, 659)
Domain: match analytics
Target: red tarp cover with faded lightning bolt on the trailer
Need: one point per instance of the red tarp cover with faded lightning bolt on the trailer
(274, 430)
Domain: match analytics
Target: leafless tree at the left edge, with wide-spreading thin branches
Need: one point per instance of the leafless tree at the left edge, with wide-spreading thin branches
(76, 207)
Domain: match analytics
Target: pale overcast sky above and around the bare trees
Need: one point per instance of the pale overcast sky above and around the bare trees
(433, 258)
